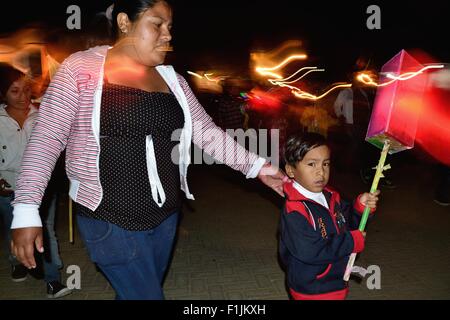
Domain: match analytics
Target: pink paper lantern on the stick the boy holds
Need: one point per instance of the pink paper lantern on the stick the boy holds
(398, 104)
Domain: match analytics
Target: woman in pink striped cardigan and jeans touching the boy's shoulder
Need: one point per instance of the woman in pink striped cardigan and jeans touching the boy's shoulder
(127, 195)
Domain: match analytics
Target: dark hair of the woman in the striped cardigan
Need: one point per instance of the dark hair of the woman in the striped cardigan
(133, 8)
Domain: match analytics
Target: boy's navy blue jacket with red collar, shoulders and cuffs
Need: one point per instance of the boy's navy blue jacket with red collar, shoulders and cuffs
(316, 242)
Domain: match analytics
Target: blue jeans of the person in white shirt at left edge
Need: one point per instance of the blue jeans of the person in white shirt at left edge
(52, 261)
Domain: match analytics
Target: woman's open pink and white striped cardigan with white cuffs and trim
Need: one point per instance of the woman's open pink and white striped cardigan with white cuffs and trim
(69, 118)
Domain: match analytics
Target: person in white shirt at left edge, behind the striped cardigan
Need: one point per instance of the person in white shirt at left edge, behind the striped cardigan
(17, 117)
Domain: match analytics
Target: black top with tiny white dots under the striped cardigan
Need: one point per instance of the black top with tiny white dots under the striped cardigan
(127, 116)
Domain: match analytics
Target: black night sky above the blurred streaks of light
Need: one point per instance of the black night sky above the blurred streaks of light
(213, 32)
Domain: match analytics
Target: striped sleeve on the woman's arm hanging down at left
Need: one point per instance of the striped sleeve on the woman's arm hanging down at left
(48, 137)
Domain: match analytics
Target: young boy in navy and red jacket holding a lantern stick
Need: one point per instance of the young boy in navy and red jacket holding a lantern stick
(318, 230)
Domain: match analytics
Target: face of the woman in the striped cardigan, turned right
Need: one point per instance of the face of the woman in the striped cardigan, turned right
(150, 34)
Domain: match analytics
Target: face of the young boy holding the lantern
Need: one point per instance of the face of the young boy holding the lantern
(313, 171)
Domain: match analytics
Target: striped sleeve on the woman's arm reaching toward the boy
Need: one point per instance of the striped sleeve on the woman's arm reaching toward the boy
(215, 142)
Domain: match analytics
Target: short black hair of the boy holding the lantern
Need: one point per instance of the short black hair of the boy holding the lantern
(298, 145)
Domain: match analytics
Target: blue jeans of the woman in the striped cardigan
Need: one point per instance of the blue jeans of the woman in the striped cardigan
(134, 262)
